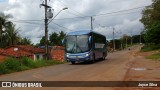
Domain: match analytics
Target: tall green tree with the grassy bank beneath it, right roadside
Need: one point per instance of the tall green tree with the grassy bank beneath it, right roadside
(151, 21)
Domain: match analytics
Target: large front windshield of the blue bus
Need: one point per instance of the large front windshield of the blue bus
(77, 43)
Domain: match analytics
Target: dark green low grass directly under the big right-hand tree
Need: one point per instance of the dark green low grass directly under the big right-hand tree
(150, 47)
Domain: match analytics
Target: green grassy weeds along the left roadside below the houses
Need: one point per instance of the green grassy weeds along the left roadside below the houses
(11, 65)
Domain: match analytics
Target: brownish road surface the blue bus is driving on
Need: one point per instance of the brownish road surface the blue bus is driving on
(113, 68)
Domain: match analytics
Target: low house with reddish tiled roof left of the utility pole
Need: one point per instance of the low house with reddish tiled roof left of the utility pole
(24, 50)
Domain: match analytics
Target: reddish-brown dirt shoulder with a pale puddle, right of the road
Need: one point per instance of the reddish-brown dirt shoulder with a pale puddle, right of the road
(142, 69)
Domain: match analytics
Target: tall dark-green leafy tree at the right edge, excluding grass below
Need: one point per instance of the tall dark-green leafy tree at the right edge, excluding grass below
(151, 21)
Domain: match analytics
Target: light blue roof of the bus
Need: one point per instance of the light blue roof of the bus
(81, 32)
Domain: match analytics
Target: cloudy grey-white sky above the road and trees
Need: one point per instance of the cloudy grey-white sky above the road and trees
(122, 15)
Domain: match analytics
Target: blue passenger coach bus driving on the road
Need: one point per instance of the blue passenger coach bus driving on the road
(84, 45)
